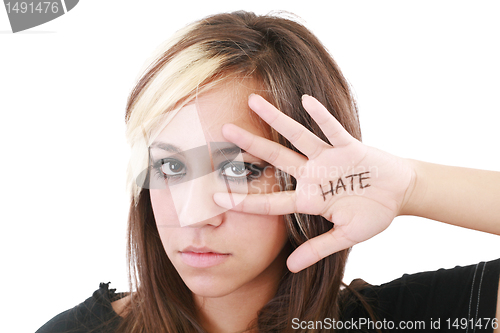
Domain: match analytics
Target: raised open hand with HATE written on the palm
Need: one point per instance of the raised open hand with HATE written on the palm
(359, 188)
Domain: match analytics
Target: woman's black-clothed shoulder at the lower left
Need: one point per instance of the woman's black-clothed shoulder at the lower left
(95, 313)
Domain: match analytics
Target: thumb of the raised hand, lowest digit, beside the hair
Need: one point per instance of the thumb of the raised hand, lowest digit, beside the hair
(316, 249)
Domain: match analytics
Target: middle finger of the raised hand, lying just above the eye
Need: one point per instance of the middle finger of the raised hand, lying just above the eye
(281, 157)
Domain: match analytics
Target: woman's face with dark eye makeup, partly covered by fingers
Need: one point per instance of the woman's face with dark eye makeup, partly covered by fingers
(215, 251)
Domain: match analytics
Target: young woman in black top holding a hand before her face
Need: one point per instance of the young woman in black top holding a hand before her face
(249, 185)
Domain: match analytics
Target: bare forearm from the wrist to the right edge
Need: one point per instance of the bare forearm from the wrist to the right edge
(464, 197)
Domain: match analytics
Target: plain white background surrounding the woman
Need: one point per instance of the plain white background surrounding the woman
(425, 73)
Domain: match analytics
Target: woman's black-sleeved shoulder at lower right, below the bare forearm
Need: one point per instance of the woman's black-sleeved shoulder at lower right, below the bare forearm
(461, 292)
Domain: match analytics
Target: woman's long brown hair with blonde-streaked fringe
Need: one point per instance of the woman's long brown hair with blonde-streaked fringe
(289, 61)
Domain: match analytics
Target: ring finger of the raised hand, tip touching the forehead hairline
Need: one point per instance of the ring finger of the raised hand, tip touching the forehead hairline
(299, 136)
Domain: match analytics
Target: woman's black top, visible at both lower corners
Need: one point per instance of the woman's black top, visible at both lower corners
(459, 299)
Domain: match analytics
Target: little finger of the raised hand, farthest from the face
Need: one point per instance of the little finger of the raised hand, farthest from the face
(333, 130)
